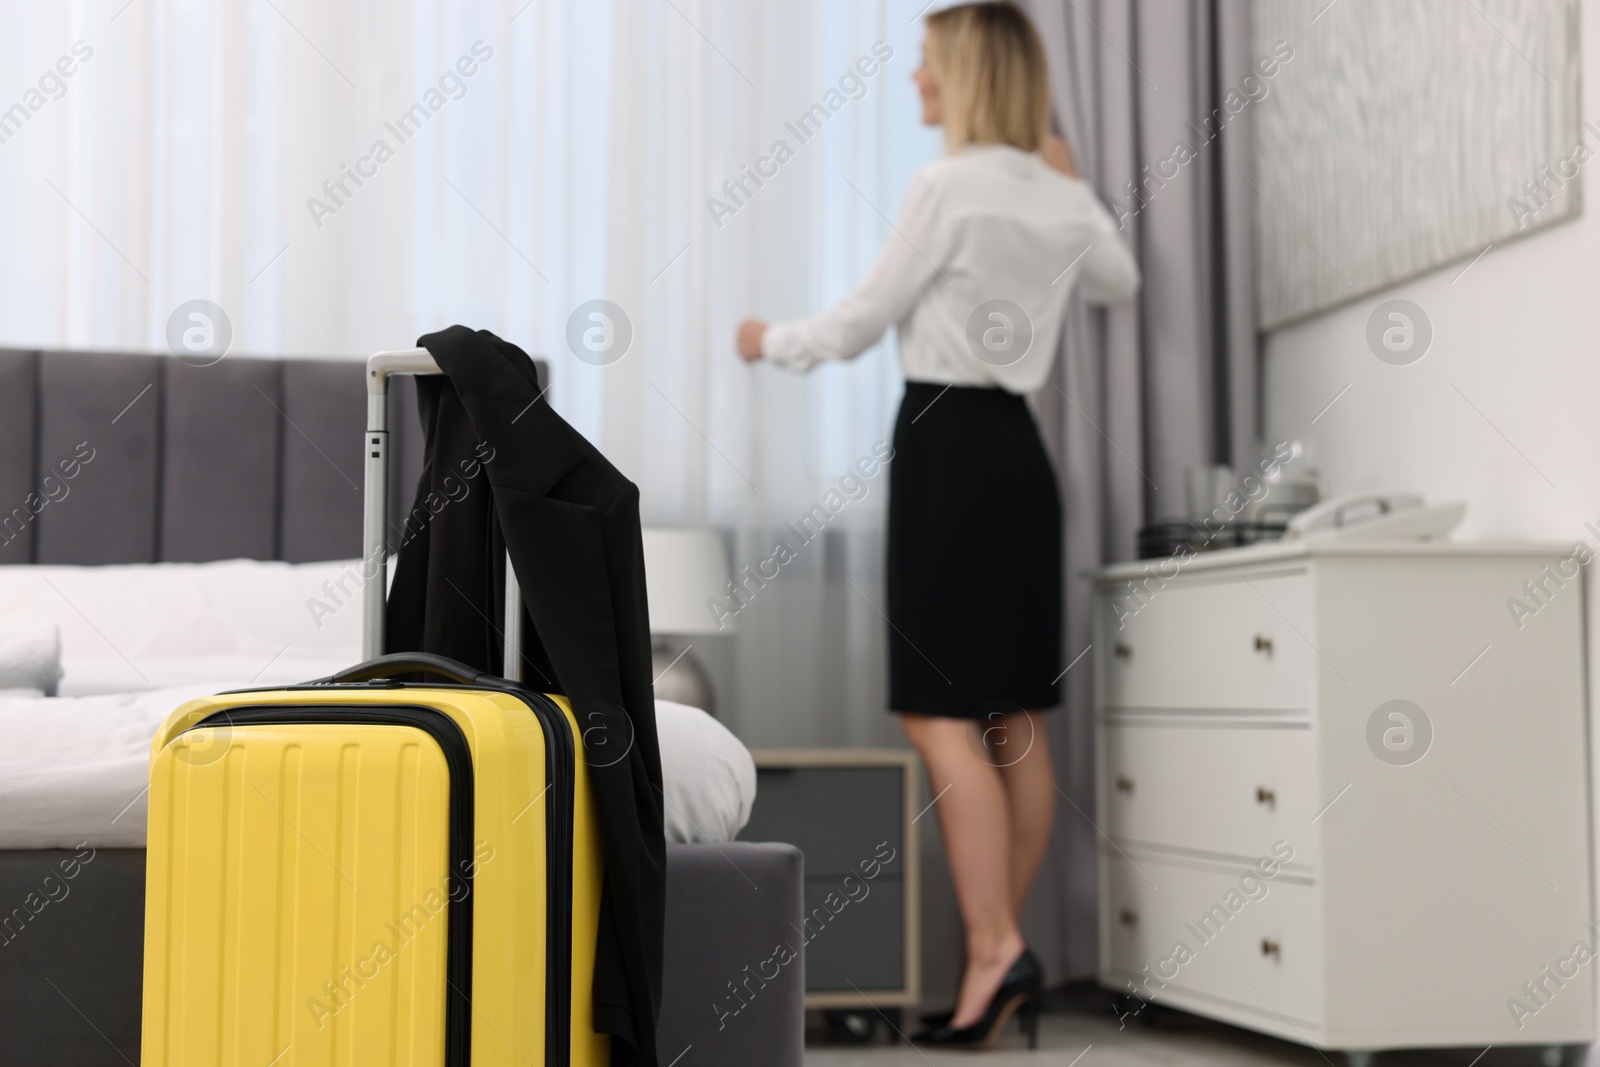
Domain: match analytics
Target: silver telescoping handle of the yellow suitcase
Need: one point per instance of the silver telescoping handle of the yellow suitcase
(375, 514)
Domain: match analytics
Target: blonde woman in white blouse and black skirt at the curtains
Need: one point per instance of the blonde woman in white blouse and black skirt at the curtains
(988, 246)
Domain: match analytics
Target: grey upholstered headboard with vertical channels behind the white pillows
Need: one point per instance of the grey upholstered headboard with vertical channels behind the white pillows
(119, 458)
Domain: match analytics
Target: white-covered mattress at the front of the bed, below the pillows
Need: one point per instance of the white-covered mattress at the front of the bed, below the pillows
(74, 769)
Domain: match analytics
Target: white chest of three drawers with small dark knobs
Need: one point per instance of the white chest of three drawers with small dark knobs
(1345, 793)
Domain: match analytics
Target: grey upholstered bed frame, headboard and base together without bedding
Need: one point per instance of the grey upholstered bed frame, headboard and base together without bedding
(263, 460)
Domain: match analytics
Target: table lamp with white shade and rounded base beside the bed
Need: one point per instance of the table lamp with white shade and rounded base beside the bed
(684, 570)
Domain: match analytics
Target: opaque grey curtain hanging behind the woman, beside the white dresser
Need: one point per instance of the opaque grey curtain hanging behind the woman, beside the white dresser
(1146, 390)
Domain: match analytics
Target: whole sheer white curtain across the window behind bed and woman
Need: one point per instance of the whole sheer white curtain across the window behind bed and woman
(345, 177)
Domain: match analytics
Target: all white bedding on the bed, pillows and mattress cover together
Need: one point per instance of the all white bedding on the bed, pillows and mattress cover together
(140, 641)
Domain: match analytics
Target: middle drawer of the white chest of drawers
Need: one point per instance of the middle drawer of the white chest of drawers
(1217, 789)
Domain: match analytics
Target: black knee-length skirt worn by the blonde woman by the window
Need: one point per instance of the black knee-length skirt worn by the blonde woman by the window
(974, 557)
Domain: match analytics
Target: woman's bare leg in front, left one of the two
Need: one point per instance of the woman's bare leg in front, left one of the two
(975, 823)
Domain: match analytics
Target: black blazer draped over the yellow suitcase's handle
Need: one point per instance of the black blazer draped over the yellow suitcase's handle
(505, 471)
